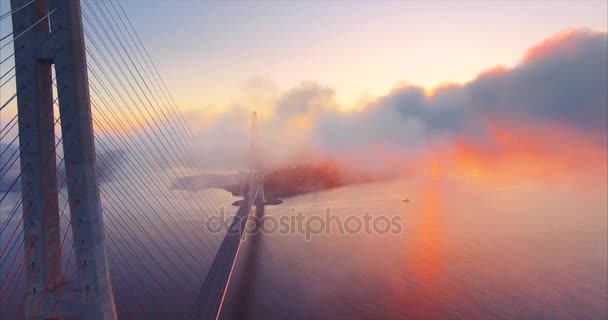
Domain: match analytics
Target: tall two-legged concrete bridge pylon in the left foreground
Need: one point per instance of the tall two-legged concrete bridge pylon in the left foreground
(37, 50)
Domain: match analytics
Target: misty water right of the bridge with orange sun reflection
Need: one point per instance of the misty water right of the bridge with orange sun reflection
(467, 251)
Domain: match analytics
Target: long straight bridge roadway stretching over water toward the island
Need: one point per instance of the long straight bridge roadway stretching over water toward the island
(208, 302)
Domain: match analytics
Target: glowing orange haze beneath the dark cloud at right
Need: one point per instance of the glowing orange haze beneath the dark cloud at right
(517, 152)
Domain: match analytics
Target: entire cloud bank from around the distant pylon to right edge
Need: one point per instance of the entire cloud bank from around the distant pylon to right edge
(556, 92)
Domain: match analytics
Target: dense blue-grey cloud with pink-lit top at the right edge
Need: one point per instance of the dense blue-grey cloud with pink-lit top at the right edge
(563, 81)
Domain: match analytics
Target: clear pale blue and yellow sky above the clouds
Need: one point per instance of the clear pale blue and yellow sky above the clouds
(208, 51)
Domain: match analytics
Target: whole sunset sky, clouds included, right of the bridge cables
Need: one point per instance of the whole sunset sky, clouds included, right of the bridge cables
(477, 87)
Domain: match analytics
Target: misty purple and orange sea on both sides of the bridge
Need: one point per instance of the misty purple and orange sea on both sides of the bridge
(467, 250)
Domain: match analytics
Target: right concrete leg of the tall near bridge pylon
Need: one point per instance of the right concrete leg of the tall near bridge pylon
(96, 296)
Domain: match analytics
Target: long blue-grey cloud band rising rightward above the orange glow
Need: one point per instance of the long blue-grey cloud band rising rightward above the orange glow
(562, 81)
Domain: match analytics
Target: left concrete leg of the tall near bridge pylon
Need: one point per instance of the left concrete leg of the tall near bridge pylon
(37, 157)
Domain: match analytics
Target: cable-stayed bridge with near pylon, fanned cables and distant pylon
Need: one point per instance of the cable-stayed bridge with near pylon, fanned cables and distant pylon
(91, 140)
